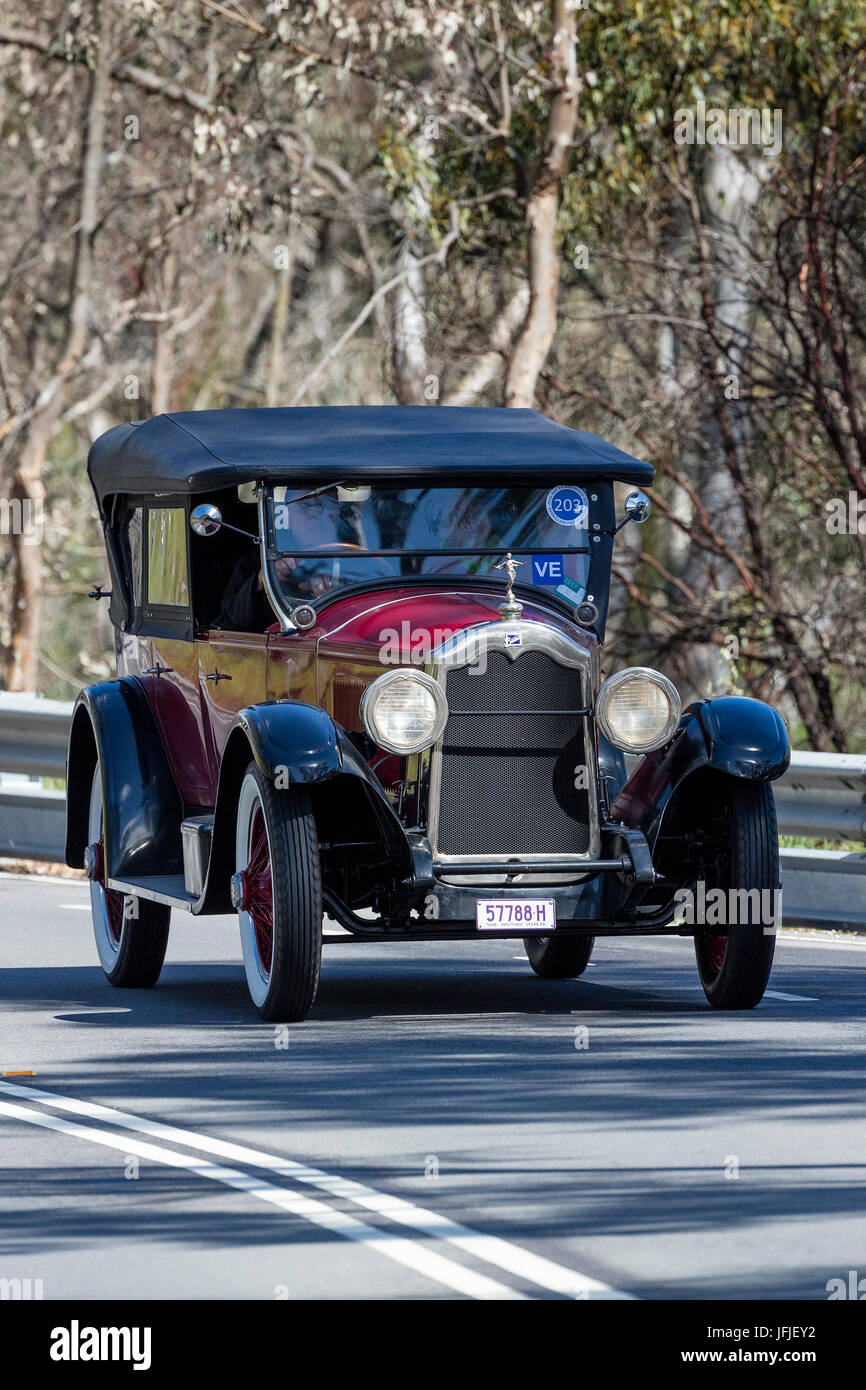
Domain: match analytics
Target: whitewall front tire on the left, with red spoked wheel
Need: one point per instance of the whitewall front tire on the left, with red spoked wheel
(277, 890)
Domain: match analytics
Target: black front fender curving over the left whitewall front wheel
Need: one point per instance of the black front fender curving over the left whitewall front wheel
(295, 744)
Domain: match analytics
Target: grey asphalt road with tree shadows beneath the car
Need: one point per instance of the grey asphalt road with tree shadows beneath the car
(443, 1127)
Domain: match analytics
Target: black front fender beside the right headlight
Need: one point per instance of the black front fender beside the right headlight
(733, 735)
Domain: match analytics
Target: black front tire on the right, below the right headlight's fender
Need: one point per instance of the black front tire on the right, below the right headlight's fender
(735, 965)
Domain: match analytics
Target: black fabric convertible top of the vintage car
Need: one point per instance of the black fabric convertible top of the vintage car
(198, 450)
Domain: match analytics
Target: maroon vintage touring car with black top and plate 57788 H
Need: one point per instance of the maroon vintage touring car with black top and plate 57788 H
(359, 679)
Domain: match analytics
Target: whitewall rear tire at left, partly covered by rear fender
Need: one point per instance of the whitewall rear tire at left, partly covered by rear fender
(131, 933)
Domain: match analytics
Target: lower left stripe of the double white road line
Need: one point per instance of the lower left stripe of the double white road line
(395, 1248)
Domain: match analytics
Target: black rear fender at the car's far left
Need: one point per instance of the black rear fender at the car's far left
(142, 807)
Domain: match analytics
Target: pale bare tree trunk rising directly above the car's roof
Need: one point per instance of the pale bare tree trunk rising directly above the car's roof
(543, 205)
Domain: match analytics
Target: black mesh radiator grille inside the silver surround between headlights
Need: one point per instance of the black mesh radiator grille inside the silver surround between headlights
(508, 778)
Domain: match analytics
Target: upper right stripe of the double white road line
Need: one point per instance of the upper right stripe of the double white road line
(547, 1274)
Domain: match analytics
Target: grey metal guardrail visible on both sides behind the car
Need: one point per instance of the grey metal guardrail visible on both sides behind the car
(821, 797)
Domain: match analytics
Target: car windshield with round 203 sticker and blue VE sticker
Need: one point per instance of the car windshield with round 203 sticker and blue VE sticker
(330, 539)
